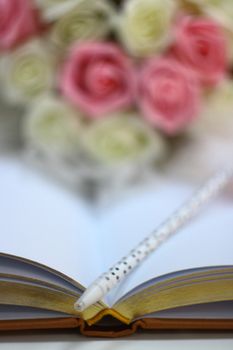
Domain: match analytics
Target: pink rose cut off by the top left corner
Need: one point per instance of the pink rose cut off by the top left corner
(18, 21)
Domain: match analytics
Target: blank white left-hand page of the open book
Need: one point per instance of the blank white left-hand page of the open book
(45, 223)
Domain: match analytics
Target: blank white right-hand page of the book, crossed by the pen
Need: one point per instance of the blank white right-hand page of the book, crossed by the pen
(207, 241)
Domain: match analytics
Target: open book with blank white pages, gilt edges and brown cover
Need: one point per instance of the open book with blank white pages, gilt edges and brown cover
(53, 245)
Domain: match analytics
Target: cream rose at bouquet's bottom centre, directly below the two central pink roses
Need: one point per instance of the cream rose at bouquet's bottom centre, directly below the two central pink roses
(122, 139)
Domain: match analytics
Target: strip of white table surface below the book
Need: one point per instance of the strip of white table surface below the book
(165, 341)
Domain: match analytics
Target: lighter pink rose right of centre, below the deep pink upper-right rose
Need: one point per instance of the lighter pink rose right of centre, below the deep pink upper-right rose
(168, 94)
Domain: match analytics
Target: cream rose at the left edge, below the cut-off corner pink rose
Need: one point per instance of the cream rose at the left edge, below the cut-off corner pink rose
(28, 72)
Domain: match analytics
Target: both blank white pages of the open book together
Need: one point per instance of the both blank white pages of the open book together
(42, 222)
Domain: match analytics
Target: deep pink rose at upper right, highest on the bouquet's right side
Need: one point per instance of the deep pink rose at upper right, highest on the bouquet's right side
(200, 43)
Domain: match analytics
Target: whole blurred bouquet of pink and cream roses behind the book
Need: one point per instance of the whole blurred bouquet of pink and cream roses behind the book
(110, 90)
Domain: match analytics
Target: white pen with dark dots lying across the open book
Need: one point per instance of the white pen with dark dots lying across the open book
(184, 214)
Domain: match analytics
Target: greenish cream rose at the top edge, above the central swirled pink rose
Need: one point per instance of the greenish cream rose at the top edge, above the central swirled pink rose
(88, 20)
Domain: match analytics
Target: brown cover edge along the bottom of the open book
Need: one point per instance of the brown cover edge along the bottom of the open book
(149, 324)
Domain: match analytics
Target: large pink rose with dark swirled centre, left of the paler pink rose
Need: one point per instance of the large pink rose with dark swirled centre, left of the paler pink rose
(98, 78)
